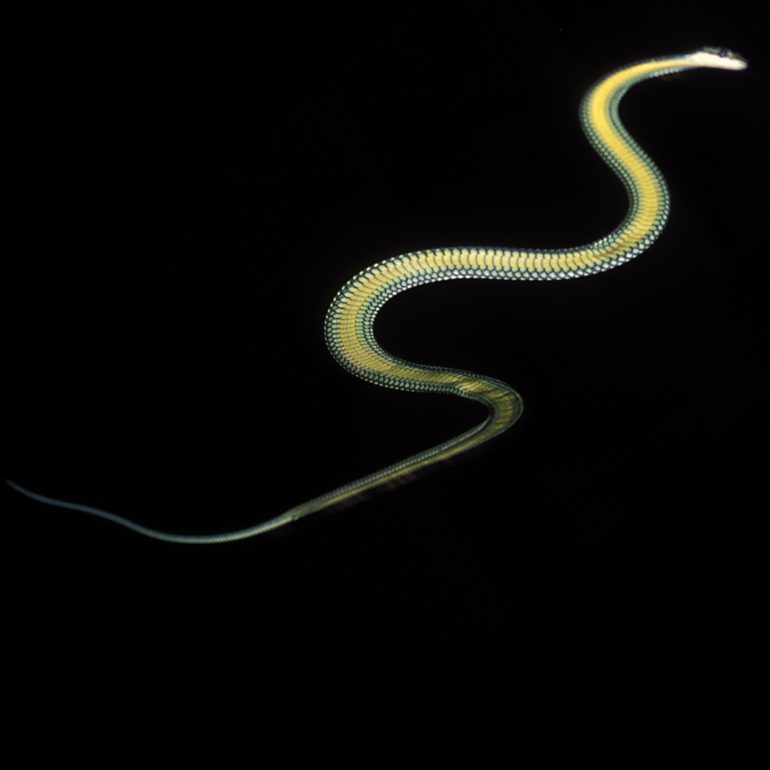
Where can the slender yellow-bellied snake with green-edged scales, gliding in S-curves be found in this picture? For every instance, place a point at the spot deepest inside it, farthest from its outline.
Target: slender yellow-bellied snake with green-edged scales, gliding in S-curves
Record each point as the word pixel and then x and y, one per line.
pixel 349 322
